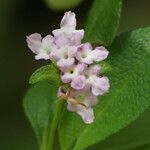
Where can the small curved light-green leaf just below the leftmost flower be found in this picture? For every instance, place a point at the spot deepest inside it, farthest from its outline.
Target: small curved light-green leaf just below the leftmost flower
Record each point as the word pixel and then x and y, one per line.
pixel 48 73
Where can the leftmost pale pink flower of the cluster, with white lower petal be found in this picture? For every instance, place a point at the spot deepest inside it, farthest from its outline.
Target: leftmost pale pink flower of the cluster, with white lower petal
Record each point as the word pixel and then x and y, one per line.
pixel 41 47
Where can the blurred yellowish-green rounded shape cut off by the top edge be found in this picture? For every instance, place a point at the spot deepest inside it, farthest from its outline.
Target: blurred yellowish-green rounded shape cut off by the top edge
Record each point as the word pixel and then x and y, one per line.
pixel 62 4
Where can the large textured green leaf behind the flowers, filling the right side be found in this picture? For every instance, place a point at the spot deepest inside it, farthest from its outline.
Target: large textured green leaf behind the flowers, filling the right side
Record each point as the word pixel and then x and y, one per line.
pixel 128 97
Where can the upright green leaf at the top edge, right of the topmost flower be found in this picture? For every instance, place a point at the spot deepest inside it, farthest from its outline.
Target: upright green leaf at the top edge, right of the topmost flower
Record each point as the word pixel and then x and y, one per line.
pixel 103 21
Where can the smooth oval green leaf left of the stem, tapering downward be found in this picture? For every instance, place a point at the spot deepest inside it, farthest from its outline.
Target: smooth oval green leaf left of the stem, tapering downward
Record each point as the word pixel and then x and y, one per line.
pixel 38 103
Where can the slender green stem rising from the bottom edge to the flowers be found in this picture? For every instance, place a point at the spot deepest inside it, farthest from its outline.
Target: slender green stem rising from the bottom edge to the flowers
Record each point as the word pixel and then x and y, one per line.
pixel 54 124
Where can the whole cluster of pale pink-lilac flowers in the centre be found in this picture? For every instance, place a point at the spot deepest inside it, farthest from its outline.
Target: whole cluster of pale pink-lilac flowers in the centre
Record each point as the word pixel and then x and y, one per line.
pixel 77 63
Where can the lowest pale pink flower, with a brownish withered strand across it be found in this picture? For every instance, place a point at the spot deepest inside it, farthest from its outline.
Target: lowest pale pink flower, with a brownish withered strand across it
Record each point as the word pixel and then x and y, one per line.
pixel 84 97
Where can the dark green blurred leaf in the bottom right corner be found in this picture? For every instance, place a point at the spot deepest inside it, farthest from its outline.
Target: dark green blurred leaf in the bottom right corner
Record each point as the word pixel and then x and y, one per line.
pixel 131 137
